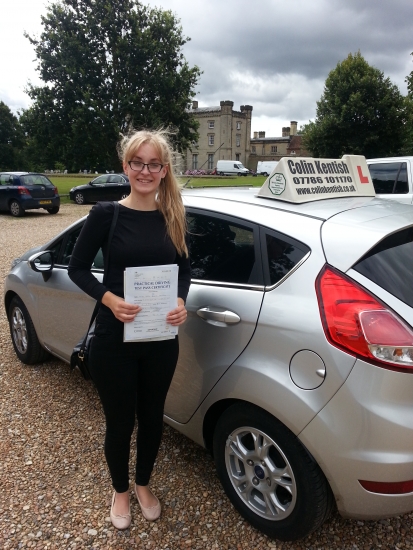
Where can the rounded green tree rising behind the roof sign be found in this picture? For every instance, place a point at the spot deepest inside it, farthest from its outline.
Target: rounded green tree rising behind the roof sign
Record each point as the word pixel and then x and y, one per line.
pixel 360 112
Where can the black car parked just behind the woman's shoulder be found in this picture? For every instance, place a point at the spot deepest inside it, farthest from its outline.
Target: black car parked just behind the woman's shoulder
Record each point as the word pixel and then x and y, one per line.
pixel 109 187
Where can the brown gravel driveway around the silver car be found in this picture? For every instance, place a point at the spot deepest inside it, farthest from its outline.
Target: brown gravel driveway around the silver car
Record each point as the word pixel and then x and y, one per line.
pixel 55 489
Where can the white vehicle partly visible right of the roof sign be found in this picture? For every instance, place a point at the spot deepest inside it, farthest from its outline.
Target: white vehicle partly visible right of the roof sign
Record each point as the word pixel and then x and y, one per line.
pixel 392 178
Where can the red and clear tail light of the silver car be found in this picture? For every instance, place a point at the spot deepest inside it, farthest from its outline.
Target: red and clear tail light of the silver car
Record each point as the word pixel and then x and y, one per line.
pixel 357 322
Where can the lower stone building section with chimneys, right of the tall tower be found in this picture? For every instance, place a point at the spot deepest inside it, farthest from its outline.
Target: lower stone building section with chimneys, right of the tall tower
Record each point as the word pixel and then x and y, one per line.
pixel 274 148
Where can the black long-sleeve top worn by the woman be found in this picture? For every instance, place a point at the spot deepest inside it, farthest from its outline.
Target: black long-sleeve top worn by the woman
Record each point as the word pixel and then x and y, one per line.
pixel 140 239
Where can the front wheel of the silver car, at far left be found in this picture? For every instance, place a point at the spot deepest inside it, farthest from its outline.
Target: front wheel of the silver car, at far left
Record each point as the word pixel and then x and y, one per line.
pixel 23 334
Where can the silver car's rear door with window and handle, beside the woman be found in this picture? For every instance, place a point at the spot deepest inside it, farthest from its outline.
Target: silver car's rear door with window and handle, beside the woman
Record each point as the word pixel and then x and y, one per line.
pixel 223 307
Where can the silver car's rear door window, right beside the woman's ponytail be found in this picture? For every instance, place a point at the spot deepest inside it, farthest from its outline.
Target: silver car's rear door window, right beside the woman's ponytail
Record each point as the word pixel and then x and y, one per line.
pixel 220 250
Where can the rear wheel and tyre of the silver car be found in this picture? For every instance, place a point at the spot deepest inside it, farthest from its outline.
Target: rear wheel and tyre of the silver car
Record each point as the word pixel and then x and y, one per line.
pixel 268 475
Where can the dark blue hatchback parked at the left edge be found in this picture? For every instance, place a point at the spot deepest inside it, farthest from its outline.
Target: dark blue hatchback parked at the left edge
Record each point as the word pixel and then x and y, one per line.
pixel 21 191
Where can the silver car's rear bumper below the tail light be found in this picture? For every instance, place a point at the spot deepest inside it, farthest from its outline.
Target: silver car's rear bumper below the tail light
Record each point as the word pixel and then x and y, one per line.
pixel 365 432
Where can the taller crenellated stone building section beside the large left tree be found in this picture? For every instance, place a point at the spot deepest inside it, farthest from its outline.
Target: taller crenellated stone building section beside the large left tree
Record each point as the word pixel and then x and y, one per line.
pixel 223 134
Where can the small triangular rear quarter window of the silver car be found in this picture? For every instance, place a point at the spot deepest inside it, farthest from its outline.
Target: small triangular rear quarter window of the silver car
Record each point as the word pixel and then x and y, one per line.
pixel 281 255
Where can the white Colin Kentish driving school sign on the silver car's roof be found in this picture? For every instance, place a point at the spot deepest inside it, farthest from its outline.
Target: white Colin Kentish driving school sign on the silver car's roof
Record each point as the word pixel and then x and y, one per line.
pixel 304 179
